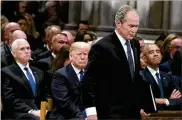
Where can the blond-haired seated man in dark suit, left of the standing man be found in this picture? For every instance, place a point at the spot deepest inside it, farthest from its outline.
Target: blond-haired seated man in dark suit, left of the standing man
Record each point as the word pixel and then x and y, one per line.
pixel 66 84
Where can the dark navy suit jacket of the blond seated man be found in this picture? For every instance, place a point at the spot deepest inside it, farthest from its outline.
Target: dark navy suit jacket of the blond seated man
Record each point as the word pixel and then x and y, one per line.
pixel 66 94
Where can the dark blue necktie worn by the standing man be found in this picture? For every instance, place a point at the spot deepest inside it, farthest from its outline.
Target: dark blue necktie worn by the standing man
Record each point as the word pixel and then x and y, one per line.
pixel 130 58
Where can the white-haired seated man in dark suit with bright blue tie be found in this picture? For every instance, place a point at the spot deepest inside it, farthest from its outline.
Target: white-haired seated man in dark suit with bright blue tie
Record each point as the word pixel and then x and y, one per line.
pixel 22 85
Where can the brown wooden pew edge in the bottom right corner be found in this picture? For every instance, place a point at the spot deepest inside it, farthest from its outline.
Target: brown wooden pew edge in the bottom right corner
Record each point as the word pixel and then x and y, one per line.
pixel 164 115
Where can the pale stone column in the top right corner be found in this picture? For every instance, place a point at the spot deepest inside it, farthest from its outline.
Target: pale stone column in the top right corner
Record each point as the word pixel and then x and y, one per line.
pixel 176 15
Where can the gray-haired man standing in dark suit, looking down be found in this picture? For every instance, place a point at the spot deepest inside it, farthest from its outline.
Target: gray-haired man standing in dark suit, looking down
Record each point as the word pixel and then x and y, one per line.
pixel 111 78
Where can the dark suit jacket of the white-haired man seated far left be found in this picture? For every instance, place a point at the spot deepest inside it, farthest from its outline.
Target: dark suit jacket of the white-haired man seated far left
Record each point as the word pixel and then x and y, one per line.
pixel 17 92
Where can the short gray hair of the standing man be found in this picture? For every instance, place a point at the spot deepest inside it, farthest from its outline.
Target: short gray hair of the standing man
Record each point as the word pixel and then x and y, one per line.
pixel 121 13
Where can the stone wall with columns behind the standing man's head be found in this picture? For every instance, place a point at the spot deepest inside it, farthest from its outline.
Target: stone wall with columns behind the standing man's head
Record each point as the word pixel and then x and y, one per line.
pixel 156 17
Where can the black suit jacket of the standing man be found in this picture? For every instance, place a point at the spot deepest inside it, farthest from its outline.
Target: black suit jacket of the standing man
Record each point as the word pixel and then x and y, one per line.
pixel 108 84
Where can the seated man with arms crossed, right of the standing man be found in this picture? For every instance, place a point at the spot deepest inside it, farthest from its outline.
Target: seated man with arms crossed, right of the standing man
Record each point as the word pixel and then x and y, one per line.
pixel 161 83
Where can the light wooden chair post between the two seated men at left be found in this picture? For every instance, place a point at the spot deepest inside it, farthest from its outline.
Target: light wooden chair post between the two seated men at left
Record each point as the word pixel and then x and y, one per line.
pixel 44 108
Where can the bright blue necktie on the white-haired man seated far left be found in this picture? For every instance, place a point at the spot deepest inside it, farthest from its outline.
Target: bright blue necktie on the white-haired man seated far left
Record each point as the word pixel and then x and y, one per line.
pixel 31 80
